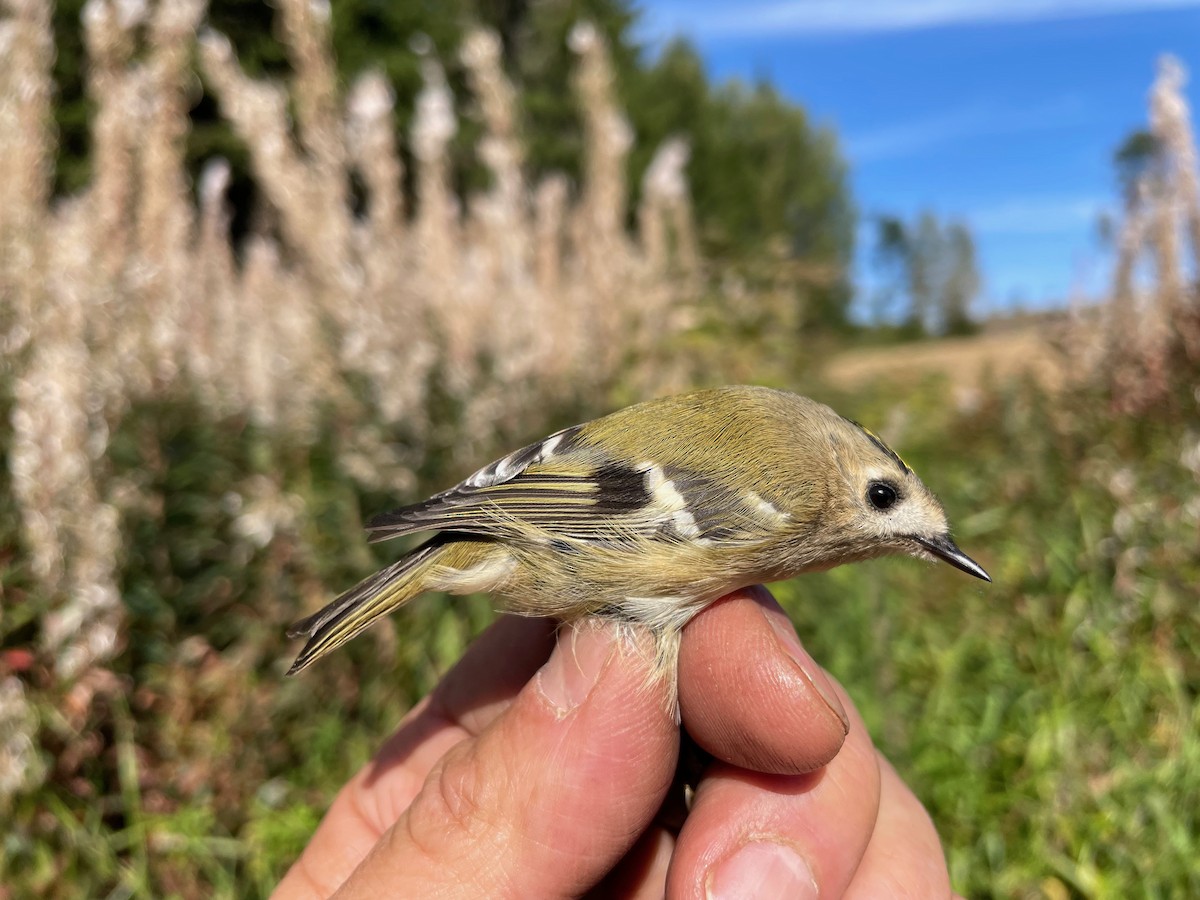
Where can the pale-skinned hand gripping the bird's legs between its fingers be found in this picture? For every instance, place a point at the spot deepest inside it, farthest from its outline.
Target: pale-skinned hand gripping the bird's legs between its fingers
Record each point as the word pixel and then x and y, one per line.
pixel 539 765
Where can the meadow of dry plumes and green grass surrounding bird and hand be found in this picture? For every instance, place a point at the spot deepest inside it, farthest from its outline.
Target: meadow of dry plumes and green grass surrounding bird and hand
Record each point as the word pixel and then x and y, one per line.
pixel 196 423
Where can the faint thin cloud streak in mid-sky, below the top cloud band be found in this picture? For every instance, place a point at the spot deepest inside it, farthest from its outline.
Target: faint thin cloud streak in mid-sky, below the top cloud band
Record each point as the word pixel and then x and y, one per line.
pixel 907 139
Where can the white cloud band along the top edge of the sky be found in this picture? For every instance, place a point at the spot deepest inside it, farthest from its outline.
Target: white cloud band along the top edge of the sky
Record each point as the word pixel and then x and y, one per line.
pixel 830 17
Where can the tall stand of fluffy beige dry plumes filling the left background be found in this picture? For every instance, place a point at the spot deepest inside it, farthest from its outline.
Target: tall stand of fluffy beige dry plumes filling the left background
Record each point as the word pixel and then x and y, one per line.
pixel 511 301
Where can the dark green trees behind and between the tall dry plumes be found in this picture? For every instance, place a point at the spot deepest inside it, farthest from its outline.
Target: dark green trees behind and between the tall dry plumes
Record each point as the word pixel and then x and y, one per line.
pixel 766 179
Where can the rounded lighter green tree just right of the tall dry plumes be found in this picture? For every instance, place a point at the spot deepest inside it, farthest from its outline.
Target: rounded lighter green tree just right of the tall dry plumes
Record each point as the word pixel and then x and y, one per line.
pixel 769 188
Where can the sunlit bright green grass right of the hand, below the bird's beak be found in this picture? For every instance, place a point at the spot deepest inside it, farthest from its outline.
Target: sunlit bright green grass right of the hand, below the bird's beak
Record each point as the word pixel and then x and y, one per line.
pixel 1049 721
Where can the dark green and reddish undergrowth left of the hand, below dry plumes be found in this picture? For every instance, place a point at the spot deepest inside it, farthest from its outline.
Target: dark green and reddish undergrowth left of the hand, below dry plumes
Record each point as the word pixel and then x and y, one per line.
pixel 191 767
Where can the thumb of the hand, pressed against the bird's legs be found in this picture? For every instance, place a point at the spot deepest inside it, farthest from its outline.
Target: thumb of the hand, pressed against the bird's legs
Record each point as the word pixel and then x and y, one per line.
pixel 551 796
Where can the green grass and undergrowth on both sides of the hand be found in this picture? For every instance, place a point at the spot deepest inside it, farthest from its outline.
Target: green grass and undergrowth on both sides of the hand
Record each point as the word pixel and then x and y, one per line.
pixel 1048 721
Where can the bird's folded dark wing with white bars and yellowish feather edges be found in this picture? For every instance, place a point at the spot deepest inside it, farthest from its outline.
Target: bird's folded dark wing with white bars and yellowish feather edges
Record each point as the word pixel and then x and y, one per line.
pixel 565 489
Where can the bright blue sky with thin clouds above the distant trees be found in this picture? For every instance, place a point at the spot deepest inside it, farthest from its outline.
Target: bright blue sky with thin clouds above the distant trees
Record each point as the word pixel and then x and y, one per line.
pixel 1003 113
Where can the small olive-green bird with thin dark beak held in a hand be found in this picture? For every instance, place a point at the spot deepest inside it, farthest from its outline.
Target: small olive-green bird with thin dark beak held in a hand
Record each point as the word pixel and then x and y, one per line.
pixel 652 513
